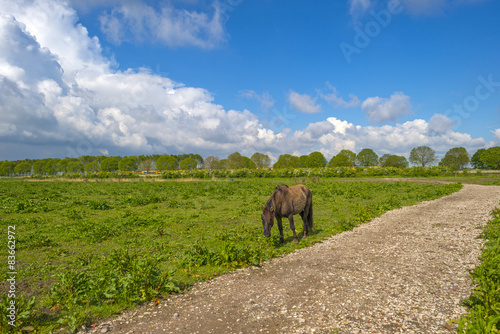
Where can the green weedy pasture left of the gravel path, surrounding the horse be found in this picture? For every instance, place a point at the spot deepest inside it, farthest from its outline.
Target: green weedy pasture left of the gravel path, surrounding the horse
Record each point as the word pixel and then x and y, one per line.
pixel 87 250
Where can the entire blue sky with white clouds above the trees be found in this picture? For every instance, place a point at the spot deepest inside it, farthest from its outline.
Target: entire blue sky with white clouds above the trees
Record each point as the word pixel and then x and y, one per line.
pixel 127 77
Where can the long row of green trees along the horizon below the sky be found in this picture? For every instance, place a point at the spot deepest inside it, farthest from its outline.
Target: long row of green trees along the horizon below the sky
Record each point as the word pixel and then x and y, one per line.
pixel 456 158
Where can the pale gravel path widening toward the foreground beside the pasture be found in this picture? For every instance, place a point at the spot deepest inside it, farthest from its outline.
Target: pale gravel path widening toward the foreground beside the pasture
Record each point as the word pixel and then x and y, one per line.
pixel 404 272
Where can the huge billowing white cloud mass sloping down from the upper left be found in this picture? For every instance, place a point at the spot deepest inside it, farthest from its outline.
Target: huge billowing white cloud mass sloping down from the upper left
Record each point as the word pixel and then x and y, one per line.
pixel 97 109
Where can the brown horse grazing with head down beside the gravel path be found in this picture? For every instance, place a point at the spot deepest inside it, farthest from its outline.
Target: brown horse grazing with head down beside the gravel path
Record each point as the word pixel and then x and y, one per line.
pixel 285 202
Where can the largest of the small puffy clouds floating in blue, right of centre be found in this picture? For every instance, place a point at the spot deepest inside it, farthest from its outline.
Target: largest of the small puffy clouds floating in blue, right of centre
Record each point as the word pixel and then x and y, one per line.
pixel 380 110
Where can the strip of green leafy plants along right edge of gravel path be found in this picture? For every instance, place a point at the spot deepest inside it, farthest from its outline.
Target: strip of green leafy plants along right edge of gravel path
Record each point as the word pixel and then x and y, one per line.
pixel 484 302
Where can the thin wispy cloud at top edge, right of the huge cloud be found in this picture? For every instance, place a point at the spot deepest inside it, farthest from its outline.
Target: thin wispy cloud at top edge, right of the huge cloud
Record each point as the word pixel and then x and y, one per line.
pixel 137 21
